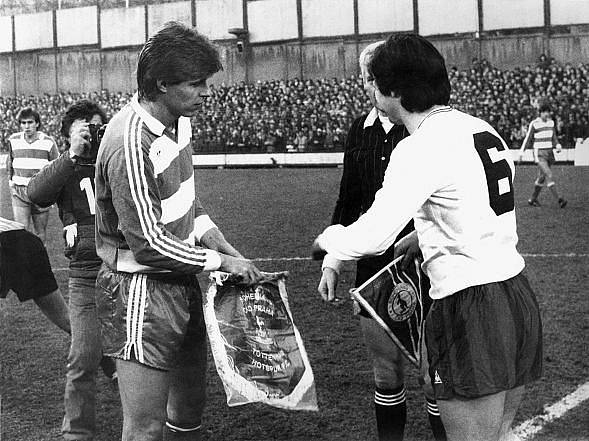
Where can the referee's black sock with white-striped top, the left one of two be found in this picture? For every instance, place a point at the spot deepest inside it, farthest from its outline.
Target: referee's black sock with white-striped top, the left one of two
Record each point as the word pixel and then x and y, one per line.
pixel 391 413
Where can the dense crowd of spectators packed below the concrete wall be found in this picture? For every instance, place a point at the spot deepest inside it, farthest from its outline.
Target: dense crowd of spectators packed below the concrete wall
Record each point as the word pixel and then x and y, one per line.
pixel 315 114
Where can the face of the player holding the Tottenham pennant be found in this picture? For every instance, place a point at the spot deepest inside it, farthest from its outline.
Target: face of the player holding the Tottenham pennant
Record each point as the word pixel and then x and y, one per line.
pixel 186 98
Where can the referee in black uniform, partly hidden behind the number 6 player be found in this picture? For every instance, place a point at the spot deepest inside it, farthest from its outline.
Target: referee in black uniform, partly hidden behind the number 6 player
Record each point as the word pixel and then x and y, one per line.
pixel 370 141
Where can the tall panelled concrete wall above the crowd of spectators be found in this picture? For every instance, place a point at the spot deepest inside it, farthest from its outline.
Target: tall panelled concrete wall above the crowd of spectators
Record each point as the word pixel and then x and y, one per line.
pixel 91 47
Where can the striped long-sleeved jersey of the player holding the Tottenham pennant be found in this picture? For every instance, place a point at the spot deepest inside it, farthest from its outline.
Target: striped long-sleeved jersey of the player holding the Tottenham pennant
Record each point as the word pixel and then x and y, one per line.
pixel 148 215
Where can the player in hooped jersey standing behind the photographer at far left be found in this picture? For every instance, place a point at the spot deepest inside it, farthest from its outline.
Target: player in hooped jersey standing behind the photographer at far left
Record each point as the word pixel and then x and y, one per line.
pixel 28 151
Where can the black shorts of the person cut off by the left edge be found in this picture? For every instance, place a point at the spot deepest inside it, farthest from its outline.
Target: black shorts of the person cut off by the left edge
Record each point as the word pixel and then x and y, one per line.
pixel 24 266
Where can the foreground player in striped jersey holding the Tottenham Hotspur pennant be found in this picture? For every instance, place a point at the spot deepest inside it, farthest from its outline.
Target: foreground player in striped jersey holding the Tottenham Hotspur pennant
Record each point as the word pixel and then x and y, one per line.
pixel 154 236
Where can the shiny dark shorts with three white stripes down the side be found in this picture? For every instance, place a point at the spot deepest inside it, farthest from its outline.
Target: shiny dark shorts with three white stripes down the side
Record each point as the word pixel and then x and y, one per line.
pixel 156 320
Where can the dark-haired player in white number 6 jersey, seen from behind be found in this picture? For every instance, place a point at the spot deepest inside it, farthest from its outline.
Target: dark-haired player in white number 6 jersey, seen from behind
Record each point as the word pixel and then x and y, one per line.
pixel 454 176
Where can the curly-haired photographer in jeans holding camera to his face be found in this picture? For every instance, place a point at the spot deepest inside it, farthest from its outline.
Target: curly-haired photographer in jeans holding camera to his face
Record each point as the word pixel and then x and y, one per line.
pixel 69 181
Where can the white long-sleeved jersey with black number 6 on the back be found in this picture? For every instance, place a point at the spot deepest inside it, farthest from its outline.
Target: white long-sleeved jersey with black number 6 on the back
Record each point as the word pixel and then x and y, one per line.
pixel 454 176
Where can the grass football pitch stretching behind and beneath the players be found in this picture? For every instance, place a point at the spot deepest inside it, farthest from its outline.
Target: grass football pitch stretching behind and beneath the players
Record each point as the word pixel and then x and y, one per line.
pixel 276 213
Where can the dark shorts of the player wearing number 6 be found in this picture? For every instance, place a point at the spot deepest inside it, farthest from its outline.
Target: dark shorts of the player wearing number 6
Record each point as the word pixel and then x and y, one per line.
pixel 484 339
